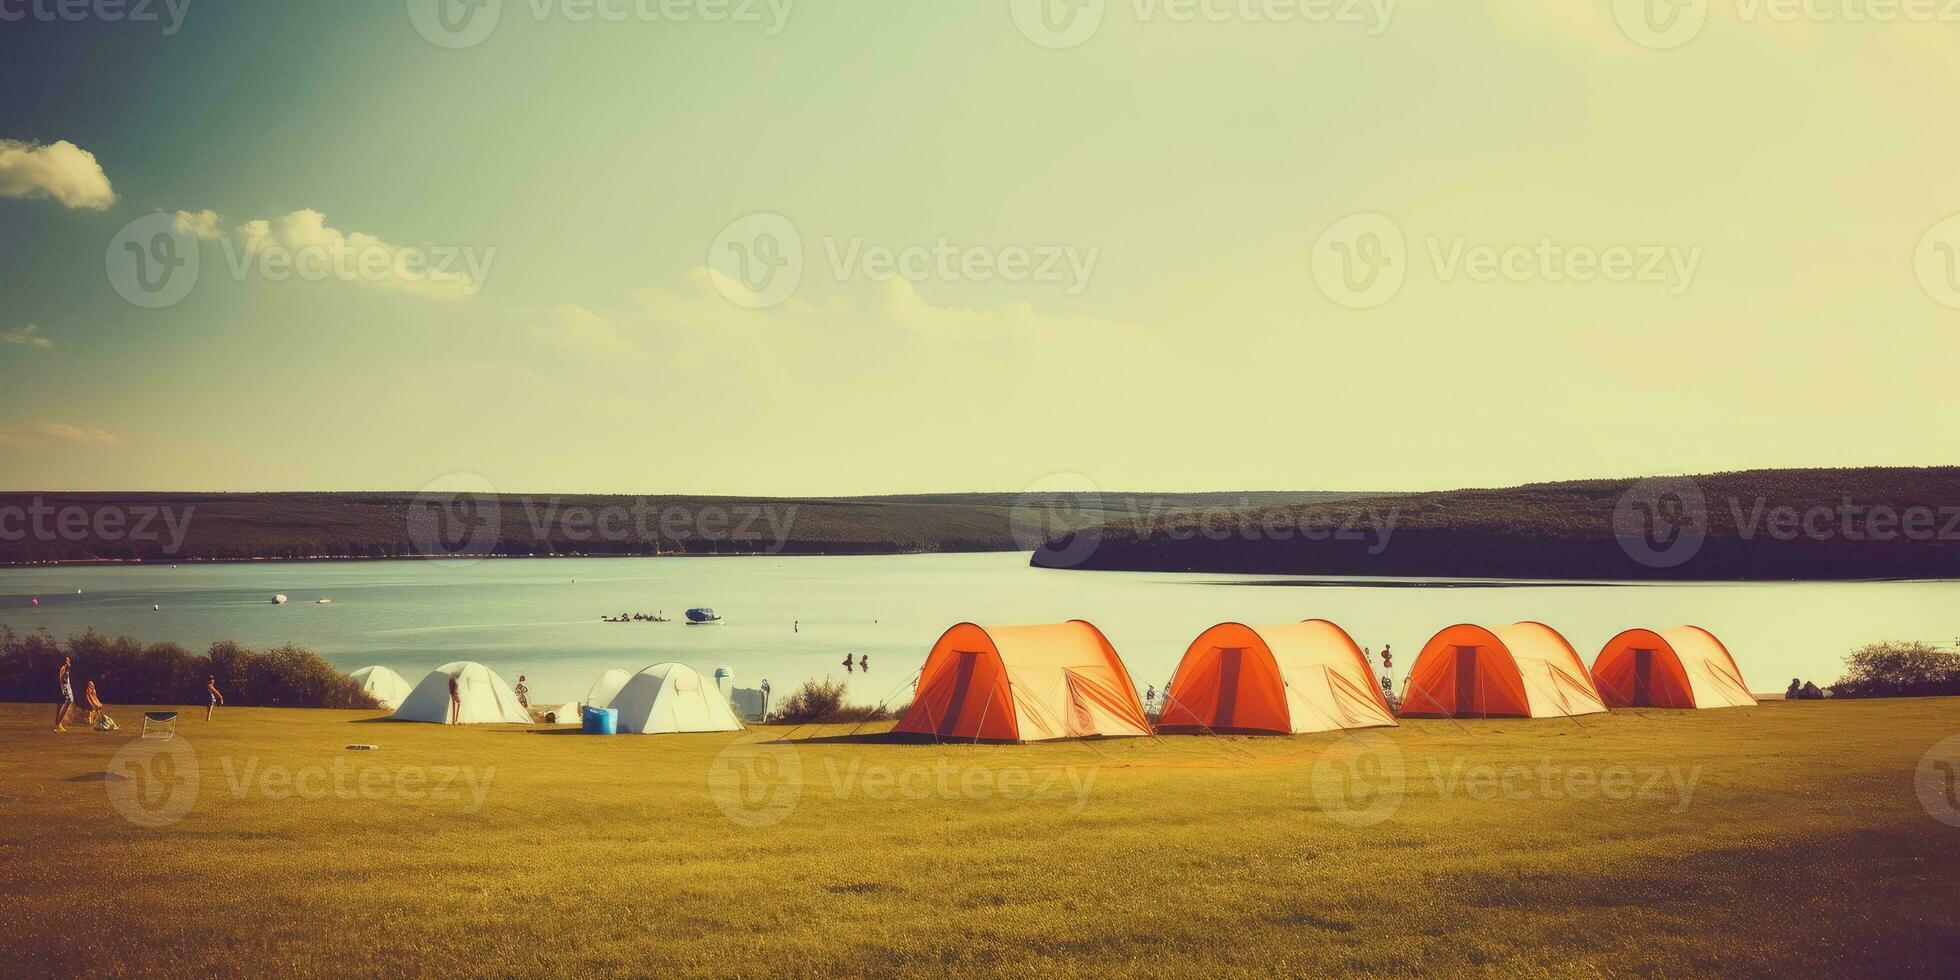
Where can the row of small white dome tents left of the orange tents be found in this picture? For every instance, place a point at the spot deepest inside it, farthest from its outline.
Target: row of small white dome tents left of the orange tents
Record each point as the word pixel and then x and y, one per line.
pixel 661 699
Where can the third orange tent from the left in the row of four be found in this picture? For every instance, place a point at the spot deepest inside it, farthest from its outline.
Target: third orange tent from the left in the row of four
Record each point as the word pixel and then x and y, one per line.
pixel 1508 671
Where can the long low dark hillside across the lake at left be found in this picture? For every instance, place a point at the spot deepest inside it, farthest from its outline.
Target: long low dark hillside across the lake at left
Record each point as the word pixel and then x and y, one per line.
pixel 132 526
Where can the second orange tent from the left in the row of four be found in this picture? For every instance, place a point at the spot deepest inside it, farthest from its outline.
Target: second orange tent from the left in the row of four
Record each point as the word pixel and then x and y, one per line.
pixel 1289 679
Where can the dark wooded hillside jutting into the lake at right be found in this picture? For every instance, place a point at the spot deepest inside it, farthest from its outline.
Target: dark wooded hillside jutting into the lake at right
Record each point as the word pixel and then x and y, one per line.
pixel 1732 526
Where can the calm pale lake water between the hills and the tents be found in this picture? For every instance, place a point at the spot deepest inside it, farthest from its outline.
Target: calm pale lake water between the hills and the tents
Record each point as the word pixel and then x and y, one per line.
pixel 542 618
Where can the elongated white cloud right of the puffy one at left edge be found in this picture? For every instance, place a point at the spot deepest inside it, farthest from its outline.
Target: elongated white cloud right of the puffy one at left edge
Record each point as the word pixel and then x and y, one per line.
pixel 303 246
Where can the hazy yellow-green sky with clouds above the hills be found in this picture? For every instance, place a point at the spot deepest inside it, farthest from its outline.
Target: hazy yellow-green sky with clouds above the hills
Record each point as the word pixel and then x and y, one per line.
pixel 822 248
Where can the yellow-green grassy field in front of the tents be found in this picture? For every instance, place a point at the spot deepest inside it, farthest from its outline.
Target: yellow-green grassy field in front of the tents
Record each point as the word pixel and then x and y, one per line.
pixel 1785 840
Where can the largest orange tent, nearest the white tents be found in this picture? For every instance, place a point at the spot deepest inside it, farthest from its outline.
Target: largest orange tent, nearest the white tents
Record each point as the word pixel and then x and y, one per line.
pixel 1024 683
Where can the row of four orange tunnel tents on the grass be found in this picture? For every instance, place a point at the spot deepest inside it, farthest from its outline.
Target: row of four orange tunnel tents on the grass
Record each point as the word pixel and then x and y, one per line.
pixel 1040 683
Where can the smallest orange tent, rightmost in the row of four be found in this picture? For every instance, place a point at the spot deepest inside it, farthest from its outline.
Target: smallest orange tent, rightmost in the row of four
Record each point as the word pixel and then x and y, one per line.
pixel 1683 667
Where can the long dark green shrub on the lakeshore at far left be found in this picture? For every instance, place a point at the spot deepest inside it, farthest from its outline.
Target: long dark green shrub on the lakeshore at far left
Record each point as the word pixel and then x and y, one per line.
pixel 164 673
